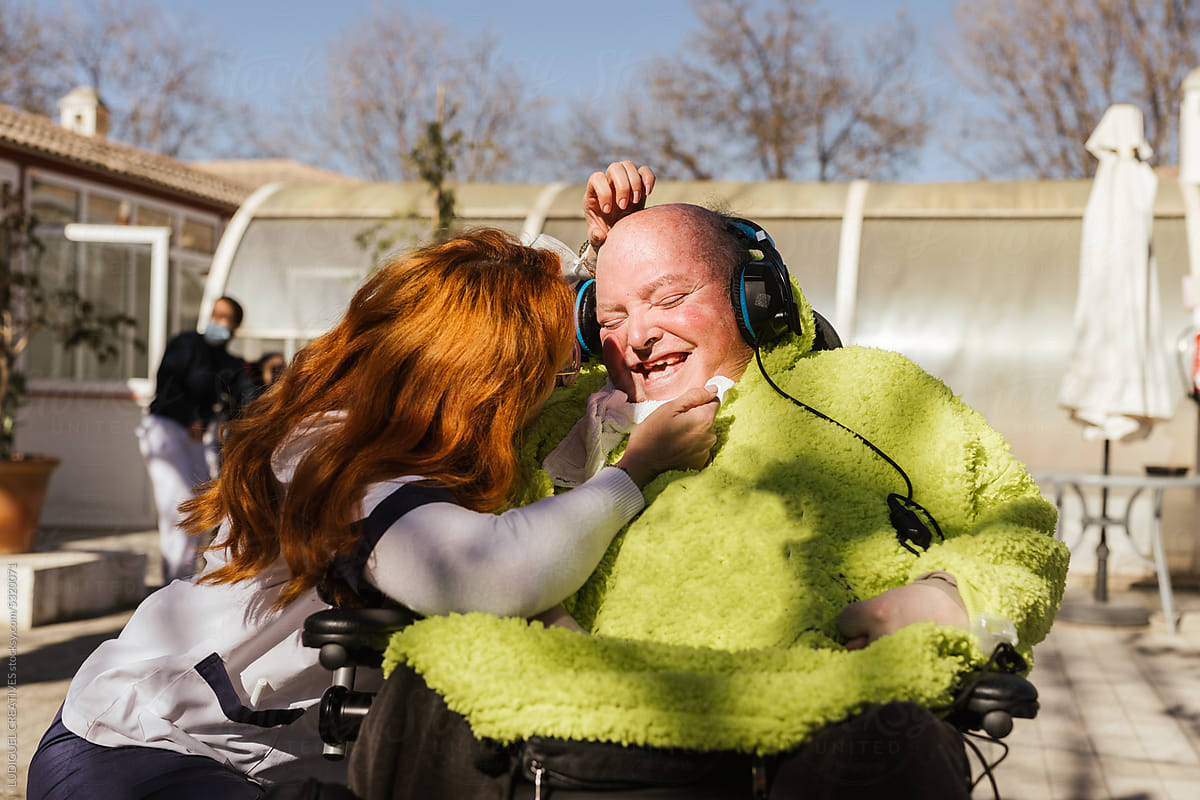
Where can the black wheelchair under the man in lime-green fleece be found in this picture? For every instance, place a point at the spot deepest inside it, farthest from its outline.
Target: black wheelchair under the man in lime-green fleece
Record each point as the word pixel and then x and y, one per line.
pixel 353 640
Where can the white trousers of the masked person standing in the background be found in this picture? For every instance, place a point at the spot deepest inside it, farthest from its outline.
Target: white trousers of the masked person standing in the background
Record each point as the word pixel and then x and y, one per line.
pixel 178 467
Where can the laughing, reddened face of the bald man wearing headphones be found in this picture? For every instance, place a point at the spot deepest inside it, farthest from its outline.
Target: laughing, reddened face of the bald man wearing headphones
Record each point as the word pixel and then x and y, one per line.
pixel 663 300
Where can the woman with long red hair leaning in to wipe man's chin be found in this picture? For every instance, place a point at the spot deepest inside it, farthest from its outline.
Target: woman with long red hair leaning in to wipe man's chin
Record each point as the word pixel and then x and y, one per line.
pixel 374 467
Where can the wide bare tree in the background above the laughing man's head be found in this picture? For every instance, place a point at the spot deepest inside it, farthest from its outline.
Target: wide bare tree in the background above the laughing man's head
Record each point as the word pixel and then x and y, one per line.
pixel 777 93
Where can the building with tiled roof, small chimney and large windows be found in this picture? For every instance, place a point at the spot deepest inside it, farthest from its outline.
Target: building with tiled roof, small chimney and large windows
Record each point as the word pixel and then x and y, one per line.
pixel 86 411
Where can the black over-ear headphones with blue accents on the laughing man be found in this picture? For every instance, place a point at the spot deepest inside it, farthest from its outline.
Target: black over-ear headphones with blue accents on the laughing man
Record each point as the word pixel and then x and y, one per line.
pixel 760 292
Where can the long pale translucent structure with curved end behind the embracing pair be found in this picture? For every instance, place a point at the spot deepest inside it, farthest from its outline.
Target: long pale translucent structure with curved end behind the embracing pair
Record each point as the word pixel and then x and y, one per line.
pixel 976 282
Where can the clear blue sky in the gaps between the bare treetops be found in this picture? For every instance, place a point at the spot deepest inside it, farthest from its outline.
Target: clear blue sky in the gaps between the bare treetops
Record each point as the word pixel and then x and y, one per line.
pixel 566 49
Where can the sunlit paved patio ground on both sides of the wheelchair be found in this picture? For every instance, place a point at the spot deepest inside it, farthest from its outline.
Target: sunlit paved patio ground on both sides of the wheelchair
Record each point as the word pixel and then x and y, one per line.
pixel 1120 707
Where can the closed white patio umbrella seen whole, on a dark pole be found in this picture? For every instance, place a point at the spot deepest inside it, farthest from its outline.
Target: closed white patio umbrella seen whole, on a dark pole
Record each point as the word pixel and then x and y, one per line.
pixel 1118 382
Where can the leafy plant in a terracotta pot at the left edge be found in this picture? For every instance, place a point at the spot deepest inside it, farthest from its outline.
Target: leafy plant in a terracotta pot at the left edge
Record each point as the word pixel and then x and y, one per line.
pixel 27 306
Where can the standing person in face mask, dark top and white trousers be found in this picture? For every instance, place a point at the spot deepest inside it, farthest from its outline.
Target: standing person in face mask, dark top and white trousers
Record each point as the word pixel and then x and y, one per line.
pixel 199 382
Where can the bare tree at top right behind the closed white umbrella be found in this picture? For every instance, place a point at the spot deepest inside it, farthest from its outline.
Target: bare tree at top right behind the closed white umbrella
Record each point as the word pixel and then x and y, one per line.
pixel 1045 71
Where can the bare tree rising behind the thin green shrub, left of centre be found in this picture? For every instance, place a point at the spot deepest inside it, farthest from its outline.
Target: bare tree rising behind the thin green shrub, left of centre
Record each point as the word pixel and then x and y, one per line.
pixel 383 82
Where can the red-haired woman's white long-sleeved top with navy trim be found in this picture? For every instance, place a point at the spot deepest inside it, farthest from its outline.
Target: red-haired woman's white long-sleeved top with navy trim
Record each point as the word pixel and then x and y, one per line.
pixel 195 653
